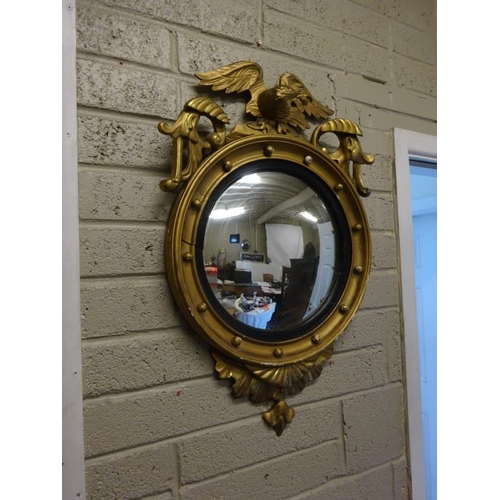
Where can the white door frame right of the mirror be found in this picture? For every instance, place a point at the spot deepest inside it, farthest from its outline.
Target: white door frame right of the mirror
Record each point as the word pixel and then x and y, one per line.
pixel 410 144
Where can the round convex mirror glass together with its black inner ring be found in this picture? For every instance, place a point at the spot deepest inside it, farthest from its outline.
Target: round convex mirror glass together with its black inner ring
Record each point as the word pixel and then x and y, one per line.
pixel 299 260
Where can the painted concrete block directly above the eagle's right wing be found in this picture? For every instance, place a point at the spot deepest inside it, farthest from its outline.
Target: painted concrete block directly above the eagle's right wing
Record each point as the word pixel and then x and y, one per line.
pixel 284 34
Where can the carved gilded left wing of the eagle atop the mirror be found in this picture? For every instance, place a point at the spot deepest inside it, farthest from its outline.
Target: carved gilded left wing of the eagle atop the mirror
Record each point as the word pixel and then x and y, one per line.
pixel 237 77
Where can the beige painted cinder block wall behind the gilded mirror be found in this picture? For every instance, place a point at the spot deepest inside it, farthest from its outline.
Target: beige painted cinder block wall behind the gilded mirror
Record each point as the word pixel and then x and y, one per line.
pixel 157 423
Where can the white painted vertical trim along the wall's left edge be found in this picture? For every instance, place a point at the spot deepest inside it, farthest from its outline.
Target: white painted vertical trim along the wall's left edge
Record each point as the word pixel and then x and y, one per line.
pixel 73 469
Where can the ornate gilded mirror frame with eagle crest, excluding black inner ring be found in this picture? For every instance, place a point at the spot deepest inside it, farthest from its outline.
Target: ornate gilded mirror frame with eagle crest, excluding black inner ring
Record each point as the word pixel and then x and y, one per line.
pixel 261 370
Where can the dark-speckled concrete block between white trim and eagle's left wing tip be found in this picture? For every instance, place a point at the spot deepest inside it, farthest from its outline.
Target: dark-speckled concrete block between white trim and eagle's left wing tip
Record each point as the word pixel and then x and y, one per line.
pixel 121 87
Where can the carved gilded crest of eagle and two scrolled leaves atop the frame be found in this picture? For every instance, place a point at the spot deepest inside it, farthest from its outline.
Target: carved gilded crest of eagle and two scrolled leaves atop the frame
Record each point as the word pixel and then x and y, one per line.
pixel 278 110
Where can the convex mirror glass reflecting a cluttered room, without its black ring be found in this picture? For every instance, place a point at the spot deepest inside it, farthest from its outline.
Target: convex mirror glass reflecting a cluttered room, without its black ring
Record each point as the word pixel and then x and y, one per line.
pixel 290 269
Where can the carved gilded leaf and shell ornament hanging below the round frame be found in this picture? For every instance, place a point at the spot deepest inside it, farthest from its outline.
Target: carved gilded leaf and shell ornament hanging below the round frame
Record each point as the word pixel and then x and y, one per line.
pixel 276 383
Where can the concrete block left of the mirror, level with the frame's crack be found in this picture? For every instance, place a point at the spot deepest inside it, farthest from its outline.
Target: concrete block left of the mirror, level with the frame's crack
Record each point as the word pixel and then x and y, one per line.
pixel 108 249
